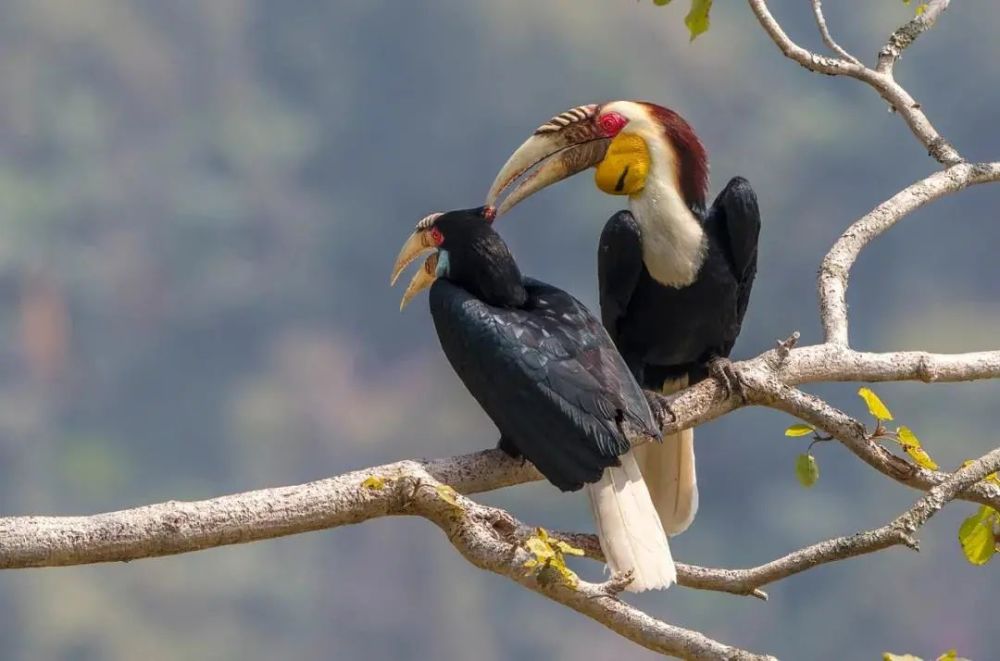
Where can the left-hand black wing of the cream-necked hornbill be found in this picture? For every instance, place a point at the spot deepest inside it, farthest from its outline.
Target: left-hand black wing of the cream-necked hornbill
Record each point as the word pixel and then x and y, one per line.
pixel 619 264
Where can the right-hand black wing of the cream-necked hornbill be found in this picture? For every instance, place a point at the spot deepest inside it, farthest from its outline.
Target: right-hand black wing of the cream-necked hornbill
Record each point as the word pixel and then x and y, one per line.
pixel 734 216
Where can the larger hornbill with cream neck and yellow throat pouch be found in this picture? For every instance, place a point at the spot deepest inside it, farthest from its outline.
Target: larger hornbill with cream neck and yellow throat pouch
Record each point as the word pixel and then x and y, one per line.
pixel 674 277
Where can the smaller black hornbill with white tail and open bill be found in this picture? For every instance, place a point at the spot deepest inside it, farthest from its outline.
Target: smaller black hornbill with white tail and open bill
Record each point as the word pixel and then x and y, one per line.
pixel 546 372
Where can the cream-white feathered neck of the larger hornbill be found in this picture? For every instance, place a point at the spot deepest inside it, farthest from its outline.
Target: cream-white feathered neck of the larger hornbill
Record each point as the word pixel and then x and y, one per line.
pixel 674 243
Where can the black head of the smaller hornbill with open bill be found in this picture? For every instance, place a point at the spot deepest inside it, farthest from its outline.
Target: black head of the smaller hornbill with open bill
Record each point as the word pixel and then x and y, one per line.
pixel 465 249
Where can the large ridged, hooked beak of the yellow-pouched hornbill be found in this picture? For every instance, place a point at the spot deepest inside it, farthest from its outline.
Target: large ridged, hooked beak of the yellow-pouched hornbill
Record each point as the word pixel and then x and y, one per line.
pixel 568 143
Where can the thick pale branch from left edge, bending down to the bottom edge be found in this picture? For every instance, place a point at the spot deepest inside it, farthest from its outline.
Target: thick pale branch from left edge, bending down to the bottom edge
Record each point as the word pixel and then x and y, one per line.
pixel 487 537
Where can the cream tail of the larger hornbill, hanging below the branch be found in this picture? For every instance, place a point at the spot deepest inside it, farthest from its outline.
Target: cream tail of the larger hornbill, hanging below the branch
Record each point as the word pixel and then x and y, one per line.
pixel 669 471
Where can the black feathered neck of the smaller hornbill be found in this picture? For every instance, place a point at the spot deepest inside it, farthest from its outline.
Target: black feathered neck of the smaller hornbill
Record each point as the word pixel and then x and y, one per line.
pixel 488 271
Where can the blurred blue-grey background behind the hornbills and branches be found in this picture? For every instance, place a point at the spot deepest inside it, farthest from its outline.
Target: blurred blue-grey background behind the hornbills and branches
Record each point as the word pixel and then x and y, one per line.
pixel 199 207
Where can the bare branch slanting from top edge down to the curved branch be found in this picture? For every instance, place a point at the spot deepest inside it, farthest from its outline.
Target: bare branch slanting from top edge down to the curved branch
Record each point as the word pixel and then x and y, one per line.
pixel 883 83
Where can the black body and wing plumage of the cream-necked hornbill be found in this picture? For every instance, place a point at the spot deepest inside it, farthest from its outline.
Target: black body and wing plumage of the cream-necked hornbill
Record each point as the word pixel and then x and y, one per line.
pixel 666 332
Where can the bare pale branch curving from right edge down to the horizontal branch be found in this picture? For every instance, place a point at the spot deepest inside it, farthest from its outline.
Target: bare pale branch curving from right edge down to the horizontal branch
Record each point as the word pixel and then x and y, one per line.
pixel 835 269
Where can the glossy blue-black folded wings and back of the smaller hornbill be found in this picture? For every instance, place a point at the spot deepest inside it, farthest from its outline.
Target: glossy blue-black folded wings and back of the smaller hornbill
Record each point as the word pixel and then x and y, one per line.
pixel 547 375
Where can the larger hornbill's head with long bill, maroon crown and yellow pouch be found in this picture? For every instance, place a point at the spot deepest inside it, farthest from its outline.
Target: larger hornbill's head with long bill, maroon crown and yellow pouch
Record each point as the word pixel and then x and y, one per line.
pixel 628 142
